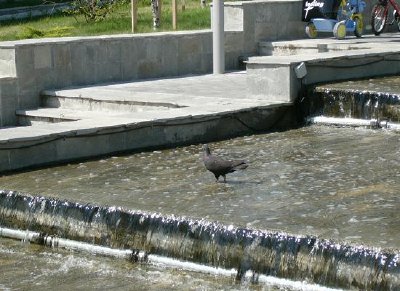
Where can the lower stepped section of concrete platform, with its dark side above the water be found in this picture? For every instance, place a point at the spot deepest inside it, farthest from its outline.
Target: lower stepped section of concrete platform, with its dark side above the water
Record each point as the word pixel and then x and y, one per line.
pixel 112 118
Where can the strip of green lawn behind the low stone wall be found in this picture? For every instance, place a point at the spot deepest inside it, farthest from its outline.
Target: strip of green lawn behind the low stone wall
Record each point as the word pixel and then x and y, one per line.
pixel 193 17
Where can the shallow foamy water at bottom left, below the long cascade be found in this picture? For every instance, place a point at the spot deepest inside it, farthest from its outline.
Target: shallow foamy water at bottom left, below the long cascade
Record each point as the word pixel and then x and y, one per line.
pixel 26 267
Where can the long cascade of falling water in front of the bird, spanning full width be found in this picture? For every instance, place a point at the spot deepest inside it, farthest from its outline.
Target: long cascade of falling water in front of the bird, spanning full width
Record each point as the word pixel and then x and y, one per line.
pixel 296 257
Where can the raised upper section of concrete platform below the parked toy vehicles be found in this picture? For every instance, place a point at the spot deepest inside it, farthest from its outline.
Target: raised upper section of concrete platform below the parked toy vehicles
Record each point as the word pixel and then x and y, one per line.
pixel 325 60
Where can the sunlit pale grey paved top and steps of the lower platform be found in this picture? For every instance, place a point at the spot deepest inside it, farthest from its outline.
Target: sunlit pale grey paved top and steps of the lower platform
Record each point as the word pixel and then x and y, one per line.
pixel 158 99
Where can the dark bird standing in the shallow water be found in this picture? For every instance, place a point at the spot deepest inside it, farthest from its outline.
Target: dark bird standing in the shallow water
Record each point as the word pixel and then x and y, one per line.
pixel 221 167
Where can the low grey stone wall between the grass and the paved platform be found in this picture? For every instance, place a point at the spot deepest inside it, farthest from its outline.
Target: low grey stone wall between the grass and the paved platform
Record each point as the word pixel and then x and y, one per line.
pixel 43 64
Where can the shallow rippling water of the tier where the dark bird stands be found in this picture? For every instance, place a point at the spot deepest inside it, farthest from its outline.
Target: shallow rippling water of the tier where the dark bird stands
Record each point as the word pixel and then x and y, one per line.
pixel 337 183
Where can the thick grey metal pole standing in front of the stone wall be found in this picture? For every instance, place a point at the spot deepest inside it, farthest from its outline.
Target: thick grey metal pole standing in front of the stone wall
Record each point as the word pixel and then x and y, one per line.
pixel 218 37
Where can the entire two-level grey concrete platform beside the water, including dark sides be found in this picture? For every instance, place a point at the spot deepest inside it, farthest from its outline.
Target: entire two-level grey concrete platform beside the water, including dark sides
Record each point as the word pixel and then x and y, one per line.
pixel 89 121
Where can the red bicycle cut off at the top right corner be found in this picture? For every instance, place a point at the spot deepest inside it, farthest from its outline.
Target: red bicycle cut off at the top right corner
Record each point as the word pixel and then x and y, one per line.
pixel 379 15
